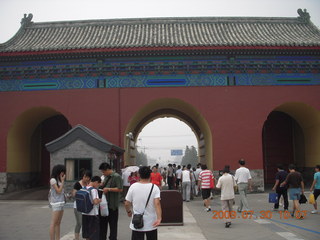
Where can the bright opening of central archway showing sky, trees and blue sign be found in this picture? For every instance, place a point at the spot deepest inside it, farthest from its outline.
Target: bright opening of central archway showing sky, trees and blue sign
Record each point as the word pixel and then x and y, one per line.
pixel 166 140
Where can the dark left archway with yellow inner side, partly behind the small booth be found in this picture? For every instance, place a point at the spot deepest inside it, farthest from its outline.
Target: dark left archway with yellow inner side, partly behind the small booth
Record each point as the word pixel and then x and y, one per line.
pixel 28 162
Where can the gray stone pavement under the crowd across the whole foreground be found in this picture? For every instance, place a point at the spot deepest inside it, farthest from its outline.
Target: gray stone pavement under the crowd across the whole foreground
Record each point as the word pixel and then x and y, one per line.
pixel 30 220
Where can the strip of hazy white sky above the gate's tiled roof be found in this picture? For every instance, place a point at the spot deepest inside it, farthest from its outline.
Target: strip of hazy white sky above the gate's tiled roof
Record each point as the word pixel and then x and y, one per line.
pixel 11 11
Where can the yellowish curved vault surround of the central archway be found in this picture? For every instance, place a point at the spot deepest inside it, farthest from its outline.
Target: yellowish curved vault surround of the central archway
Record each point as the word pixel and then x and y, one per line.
pixel 170 107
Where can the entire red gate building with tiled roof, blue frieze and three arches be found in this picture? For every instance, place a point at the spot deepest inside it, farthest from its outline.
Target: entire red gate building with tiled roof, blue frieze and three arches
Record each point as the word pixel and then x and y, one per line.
pixel 248 88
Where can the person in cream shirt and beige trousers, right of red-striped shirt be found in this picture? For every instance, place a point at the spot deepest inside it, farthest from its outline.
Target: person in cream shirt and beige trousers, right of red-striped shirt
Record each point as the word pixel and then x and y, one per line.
pixel 227 183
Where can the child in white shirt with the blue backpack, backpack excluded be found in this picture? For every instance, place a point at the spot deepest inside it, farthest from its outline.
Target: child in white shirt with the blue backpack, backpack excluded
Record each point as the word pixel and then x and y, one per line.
pixel 90 221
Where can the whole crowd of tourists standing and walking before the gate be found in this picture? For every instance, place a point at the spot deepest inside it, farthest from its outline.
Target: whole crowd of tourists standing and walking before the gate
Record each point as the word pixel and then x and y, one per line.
pixel 139 188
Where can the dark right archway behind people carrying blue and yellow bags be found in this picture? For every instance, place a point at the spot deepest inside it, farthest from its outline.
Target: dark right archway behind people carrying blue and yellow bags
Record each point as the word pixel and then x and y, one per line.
pixel 291 134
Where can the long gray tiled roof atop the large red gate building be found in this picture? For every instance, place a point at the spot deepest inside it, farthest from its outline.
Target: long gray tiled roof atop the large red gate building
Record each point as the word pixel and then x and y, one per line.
pixel 164 33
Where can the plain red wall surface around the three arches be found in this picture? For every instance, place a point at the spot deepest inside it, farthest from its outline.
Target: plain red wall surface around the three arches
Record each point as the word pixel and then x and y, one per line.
pixel 235 114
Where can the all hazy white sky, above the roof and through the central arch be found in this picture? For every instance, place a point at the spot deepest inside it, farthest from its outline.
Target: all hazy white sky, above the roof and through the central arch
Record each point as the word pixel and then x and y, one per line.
pixel 163 134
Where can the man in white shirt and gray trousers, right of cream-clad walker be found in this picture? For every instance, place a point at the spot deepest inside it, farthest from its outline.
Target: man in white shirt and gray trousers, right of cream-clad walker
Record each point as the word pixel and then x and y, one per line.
pixel 243 178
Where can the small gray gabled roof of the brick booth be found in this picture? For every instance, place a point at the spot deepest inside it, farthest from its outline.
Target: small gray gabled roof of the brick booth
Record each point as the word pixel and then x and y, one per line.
pixel 85 134
